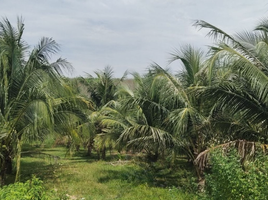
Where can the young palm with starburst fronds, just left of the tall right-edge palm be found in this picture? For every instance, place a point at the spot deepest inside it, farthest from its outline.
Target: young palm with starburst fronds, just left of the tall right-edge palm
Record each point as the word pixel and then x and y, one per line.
pixel 187 120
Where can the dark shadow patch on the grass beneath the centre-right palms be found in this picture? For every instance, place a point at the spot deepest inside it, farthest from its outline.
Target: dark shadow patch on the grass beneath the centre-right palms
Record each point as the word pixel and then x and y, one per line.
pixel 153 175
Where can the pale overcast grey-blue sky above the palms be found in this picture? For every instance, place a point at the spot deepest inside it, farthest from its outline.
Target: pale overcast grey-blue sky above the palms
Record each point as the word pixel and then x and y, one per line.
pixel 128 34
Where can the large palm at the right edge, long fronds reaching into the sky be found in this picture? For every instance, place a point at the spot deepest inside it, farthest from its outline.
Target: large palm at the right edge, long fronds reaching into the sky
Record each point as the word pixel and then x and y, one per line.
pixel 240 98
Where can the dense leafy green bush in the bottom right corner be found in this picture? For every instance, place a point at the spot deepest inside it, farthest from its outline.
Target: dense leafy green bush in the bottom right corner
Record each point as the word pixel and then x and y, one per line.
pixel 229 179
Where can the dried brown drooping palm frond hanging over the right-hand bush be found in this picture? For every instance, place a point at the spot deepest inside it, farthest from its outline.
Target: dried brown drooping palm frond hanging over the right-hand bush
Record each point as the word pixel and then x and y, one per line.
pixel 244 148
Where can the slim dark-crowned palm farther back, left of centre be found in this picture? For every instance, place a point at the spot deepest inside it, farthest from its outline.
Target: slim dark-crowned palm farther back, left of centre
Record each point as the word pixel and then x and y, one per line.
pixel 101 91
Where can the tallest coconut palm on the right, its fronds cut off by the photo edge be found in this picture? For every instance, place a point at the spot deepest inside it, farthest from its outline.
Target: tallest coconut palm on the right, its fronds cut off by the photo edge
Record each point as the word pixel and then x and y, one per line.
pixel 244 94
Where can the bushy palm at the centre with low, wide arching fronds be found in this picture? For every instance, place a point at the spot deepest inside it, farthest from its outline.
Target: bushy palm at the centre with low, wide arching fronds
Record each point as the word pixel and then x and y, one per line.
pixel 148 111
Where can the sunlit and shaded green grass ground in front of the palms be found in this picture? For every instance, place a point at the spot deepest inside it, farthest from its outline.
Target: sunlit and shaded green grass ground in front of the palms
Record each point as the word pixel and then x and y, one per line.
pixel 81 177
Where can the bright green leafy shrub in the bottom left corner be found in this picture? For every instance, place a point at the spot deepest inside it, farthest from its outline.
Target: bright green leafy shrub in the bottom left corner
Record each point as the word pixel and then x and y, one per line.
pixel 32 189
